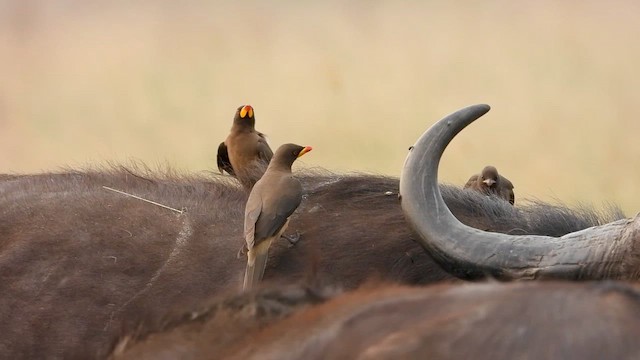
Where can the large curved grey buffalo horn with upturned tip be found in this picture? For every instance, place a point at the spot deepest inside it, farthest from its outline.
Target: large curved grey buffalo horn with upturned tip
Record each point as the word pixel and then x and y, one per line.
pixel 606 251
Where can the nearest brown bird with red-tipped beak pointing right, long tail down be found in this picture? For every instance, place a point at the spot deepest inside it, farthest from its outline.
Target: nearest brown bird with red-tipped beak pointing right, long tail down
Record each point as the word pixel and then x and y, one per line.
pixel 271 201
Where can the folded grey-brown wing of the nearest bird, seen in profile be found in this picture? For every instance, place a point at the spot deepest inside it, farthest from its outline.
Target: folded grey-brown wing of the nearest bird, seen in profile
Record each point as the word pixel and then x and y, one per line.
pixel 275 213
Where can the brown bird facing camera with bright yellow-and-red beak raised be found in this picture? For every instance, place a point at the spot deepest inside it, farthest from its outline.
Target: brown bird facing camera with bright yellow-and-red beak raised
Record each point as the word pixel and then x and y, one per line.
pixel 245 153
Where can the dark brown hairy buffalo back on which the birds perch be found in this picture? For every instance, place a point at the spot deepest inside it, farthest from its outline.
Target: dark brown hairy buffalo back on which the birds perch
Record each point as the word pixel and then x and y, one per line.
pixel 81 265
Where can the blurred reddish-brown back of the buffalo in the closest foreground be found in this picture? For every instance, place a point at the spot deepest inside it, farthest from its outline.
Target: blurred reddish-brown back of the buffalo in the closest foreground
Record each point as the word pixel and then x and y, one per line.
pixel 549 320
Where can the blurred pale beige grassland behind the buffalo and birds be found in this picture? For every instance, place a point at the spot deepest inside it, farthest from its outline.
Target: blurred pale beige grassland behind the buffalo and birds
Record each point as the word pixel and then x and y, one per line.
pixel 83 82
